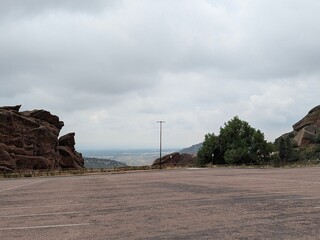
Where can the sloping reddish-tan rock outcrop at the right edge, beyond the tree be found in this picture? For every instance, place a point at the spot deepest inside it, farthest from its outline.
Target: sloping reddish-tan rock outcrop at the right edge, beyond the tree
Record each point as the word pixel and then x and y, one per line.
pixel 307 129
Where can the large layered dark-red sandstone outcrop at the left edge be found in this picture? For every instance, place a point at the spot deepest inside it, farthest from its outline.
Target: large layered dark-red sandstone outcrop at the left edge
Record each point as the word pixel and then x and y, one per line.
pixel 29 140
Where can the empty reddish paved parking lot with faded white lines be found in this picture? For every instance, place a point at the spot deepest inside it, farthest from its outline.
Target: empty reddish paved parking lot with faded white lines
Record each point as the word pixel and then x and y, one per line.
pixel 169 204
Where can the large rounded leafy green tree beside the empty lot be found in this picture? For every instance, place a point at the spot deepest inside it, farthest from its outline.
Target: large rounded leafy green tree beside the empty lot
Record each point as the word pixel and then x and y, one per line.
pixel 237 143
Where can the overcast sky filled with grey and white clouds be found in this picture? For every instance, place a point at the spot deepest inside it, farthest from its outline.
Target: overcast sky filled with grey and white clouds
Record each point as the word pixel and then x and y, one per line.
pixel 111 69
